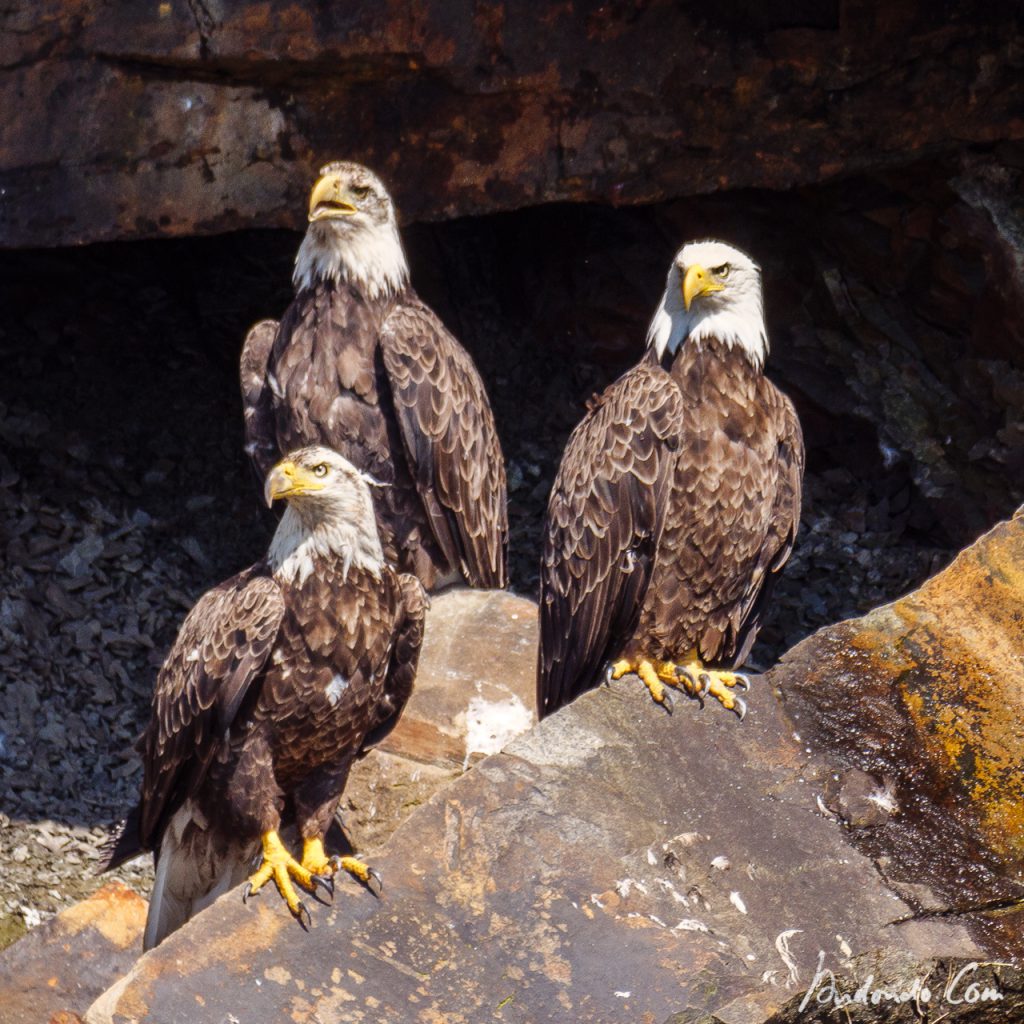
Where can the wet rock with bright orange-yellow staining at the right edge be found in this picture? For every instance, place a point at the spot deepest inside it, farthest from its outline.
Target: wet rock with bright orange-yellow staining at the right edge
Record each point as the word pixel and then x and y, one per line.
pixel 924 696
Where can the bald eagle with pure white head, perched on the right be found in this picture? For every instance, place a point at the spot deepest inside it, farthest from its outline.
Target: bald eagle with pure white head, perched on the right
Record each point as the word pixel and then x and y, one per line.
pixel 677 501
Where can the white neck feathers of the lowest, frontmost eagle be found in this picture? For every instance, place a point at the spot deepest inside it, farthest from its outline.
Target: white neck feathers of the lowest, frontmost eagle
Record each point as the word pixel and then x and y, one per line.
pixel 300 547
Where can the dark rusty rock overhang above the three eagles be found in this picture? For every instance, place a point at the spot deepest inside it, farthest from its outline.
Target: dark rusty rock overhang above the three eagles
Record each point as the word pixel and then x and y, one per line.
pixel 189 118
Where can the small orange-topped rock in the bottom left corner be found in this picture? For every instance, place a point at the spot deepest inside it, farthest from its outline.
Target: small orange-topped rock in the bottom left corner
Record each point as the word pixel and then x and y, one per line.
pixel 58 969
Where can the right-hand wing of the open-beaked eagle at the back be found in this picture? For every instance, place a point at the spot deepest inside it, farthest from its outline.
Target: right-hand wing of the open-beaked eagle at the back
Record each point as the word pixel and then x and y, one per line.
pixel 450 440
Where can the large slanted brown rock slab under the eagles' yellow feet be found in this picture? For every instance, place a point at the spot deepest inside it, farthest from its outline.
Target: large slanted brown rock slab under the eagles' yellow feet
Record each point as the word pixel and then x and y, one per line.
pixel 613 865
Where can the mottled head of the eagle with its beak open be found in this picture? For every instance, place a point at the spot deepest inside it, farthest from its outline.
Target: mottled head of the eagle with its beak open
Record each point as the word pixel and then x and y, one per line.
pixel 353 234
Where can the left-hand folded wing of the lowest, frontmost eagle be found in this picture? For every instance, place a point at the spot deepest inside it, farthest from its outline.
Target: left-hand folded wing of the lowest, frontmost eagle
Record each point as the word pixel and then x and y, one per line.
pixel 221 650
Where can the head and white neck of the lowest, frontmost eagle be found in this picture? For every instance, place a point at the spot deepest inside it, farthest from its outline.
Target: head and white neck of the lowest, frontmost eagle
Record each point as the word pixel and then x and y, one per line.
pixel 330 515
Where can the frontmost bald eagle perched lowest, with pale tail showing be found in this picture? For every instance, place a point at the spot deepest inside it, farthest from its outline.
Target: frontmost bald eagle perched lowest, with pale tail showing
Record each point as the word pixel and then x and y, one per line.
pixel 279 679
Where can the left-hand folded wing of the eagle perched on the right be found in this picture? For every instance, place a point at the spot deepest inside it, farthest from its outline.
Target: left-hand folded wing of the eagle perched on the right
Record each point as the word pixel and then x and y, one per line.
pixel 602 531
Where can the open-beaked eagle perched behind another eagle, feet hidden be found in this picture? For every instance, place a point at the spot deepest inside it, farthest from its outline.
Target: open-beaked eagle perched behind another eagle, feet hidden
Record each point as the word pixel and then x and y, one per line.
pixel 361 365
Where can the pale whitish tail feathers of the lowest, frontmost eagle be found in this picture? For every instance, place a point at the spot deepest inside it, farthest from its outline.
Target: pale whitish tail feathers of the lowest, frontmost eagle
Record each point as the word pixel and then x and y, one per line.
pixel 194 868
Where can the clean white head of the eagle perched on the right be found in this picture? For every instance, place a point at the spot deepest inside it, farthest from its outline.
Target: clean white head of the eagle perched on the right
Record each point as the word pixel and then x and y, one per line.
pixel 713 291
